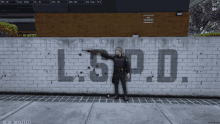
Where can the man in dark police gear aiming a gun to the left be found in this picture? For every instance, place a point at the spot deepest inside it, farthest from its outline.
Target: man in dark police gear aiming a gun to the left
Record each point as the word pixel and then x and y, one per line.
pixel 121 66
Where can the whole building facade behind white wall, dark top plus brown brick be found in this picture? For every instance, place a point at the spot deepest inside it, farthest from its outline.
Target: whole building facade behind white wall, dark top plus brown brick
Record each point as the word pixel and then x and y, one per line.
pixel 98 15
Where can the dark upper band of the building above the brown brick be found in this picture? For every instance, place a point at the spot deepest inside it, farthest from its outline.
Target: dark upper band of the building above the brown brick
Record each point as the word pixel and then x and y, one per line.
pixel 95 6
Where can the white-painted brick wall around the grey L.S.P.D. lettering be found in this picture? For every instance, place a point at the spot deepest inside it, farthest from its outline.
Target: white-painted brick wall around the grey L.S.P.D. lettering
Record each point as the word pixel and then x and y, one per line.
pixel 31 65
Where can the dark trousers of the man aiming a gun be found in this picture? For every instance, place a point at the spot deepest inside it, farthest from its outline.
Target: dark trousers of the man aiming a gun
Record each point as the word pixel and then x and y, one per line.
pixel 116 78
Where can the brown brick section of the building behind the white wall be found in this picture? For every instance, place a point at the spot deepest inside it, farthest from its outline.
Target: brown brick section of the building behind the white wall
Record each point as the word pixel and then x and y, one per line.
pixel 110 24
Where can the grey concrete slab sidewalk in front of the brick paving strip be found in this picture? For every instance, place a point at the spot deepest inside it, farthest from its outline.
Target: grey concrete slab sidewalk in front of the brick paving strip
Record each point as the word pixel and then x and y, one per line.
pixel 107 113
